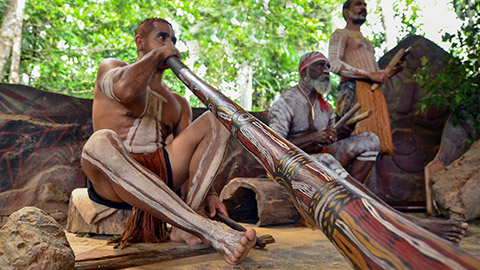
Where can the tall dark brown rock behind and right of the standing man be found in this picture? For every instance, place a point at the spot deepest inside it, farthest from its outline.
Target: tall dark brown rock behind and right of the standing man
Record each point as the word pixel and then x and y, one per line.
pixel 399 178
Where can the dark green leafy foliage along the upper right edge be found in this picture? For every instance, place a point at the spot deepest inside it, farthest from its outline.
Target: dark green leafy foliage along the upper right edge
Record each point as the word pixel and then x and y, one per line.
pixel 457 88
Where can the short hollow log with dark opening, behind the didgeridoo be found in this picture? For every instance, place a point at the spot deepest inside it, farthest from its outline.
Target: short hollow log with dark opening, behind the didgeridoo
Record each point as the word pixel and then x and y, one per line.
pixel 260 201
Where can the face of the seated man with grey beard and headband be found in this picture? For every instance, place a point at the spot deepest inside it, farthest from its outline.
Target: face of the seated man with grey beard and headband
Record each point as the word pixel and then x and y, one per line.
pixel 318 76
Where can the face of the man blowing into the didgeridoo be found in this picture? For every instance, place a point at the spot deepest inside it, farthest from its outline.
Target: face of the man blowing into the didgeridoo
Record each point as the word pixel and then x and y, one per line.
pixel 161 35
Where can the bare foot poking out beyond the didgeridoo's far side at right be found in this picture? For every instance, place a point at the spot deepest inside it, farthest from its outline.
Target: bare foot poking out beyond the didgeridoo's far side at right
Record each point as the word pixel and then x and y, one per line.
pixel 450 230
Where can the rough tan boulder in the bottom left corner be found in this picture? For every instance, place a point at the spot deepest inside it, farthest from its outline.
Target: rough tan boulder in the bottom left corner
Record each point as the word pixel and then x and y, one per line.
pixel 31 239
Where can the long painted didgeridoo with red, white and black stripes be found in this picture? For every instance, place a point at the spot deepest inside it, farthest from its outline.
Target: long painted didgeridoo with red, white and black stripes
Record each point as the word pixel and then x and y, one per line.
pixel 368 234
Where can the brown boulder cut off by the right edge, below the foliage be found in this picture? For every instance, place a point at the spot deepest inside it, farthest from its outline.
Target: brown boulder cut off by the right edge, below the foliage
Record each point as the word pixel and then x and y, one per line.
pixel 456 188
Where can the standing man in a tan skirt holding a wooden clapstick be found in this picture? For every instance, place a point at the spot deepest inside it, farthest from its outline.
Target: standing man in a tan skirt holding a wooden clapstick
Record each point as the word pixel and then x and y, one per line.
pixel 352 57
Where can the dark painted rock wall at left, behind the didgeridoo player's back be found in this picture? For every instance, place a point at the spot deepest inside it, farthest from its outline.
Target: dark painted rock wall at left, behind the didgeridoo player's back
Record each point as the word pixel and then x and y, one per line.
pixel 42 135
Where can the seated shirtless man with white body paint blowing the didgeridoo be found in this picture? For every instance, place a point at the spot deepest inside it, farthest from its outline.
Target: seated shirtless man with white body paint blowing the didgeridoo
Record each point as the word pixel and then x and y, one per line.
pixel 129 163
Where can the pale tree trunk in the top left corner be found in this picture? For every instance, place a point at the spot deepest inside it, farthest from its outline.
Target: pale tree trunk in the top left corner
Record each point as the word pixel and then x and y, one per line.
pixel 10 32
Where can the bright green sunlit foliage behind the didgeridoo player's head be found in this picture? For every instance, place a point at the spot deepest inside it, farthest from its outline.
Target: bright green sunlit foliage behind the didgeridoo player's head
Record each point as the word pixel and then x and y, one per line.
pixel 64 41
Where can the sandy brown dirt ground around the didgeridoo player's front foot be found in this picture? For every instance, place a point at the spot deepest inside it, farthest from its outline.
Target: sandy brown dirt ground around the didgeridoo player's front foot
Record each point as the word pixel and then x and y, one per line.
pixel 295 247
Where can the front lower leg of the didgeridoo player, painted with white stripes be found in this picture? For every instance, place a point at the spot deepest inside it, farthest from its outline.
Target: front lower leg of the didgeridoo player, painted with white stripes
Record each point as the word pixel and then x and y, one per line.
pixel 106 152
